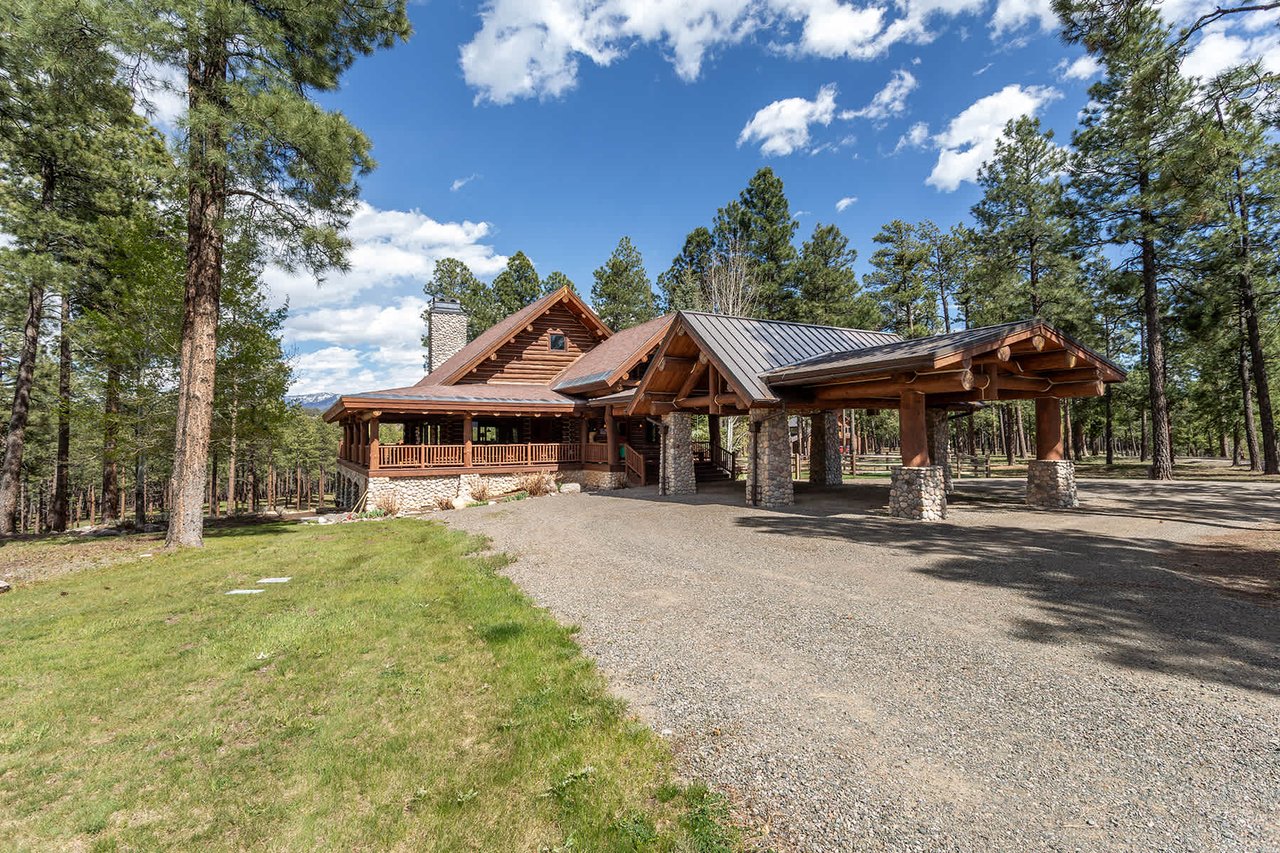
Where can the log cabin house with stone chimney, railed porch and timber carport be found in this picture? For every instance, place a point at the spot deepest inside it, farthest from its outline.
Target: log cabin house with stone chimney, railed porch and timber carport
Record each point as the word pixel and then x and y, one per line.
pixel 551 389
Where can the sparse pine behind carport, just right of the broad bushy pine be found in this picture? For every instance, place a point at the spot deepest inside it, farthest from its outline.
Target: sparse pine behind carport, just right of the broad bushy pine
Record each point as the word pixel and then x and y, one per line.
pixel 899 282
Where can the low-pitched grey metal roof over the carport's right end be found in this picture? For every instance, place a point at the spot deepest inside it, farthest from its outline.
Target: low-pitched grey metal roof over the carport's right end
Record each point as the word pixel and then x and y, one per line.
pixel 903 354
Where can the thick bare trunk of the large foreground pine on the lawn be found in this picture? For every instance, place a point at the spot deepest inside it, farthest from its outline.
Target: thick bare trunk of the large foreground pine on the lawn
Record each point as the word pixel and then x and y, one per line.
pixel 207 203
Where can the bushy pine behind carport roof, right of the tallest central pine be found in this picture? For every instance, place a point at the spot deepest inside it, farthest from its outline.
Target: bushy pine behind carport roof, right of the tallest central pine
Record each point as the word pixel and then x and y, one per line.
pixel 828 290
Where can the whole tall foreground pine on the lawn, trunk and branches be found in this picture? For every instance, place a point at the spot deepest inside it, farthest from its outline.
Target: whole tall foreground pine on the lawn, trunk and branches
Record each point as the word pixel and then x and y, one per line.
pixel 254 144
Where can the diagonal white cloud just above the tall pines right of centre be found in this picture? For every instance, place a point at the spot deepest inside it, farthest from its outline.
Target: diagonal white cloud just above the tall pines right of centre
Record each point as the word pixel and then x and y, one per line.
pixel 970 139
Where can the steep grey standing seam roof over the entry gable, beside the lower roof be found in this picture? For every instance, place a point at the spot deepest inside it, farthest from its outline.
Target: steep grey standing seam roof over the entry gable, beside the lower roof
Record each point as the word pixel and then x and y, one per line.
pixel 751 348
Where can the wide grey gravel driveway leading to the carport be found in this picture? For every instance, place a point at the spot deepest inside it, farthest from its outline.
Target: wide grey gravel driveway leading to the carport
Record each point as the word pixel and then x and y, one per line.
pixel 1007 679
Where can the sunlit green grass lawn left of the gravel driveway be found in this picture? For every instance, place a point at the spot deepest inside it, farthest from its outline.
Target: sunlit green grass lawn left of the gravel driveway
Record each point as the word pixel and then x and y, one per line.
pixel 396 695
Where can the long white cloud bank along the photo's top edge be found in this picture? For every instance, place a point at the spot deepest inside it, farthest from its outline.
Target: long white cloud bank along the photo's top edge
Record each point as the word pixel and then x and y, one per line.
pixel 533 48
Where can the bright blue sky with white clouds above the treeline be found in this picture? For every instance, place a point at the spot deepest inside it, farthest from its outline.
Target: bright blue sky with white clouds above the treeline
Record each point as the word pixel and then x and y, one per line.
pixel 559 126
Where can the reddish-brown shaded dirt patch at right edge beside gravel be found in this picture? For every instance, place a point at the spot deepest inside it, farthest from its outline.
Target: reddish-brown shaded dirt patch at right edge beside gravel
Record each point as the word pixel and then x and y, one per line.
pixel 1246 564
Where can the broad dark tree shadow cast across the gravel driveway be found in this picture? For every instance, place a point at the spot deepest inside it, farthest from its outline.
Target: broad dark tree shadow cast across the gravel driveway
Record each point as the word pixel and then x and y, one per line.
pixel 1117 595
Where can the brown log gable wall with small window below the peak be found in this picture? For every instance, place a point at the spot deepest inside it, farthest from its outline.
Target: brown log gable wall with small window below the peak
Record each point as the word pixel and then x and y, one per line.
pixel 528 358
